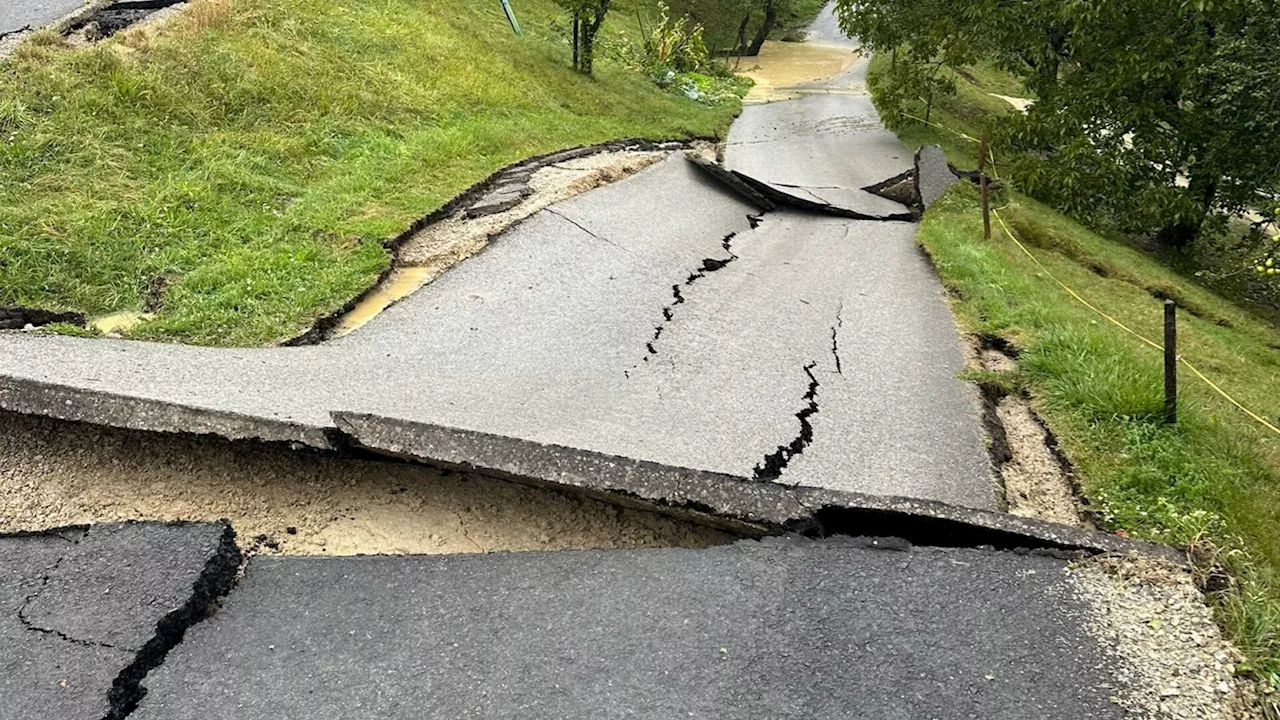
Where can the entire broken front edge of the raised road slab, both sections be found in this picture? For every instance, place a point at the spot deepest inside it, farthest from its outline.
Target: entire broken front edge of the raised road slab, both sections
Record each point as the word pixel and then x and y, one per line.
pixel 737 504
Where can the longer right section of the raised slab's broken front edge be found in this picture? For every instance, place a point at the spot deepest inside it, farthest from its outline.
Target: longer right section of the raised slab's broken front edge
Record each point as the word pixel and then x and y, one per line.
pixel 753 508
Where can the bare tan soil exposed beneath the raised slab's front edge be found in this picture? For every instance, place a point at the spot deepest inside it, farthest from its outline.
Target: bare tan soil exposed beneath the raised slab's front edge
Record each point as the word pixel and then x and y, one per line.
pixel 56 473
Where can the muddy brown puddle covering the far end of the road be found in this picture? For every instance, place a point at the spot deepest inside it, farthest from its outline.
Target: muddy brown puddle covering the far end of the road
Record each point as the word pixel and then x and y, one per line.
pixel 785 66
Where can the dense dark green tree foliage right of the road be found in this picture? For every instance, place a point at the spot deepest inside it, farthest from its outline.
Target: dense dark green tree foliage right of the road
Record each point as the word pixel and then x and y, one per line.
pixel 1156 116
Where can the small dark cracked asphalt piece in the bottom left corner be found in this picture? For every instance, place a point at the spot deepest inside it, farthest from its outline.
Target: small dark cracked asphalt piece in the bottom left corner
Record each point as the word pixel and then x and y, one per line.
pixel 85 613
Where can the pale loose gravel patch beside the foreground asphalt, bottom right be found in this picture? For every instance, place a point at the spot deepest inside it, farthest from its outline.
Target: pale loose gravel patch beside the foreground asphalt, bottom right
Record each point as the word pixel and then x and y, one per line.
pixel 1168 650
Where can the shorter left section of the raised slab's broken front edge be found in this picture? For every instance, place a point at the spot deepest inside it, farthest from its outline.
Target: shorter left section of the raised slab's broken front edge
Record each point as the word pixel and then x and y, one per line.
pixel 100 408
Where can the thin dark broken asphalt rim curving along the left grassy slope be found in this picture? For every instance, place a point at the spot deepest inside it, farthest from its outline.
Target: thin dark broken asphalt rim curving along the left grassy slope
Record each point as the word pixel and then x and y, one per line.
pixel 324 326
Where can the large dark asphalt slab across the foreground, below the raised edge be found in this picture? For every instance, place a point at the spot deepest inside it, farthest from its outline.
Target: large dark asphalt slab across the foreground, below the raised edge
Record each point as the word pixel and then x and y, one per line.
pixel 783 630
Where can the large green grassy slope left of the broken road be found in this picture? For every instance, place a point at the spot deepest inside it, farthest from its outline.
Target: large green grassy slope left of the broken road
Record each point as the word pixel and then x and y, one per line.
pixel 253 156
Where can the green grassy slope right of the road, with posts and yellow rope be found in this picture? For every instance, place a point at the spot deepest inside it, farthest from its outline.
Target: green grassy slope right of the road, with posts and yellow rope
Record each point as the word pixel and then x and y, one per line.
pixel 1212 481
